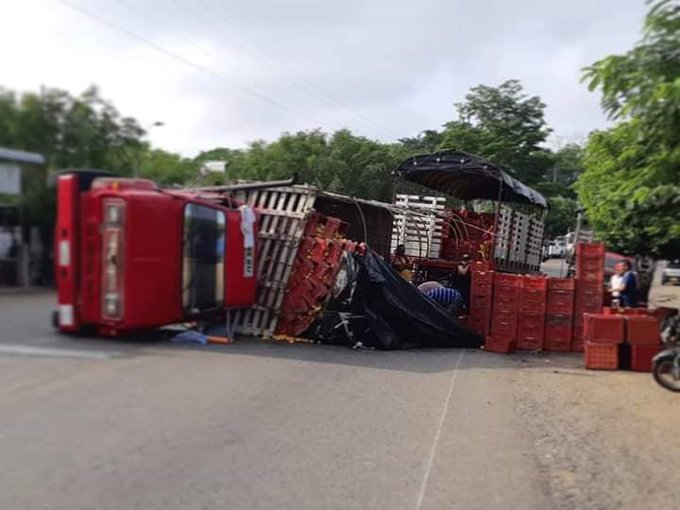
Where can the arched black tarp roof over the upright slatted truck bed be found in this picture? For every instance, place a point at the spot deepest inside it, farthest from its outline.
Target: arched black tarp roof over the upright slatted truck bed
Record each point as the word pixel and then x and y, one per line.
pixel 467 177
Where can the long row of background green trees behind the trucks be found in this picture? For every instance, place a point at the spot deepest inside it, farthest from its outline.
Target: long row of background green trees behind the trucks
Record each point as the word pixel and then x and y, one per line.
pixel 500 123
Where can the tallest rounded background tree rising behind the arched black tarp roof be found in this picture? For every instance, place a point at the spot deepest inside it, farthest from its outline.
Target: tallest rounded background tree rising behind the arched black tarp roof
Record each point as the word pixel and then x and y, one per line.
pixel 504 125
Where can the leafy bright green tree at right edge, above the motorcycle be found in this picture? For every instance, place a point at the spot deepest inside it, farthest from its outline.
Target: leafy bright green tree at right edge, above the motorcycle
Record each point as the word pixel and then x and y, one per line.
pixel 631 184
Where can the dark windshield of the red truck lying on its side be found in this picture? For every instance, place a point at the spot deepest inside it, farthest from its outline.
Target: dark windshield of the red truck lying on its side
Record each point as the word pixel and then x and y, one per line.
pixel 203 259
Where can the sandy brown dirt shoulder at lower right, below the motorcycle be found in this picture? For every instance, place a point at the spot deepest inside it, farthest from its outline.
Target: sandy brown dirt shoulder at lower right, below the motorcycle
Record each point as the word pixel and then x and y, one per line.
pixel 600 436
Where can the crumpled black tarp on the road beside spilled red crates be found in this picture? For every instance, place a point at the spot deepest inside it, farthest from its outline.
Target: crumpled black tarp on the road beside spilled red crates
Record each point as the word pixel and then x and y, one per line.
pixel 386 312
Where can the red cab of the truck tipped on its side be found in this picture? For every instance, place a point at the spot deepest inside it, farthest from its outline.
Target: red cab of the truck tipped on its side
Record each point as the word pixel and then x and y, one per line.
pixel 131 256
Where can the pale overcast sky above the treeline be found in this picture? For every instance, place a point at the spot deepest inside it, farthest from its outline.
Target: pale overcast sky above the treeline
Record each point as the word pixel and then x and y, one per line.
pixel 225 72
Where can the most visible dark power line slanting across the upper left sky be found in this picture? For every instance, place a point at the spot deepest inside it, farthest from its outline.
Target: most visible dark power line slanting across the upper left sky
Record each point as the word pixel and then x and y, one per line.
pixel 186 61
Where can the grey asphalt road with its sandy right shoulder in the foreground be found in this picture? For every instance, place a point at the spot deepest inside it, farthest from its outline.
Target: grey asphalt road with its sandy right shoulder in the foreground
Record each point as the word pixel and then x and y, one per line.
pixel 98 424
